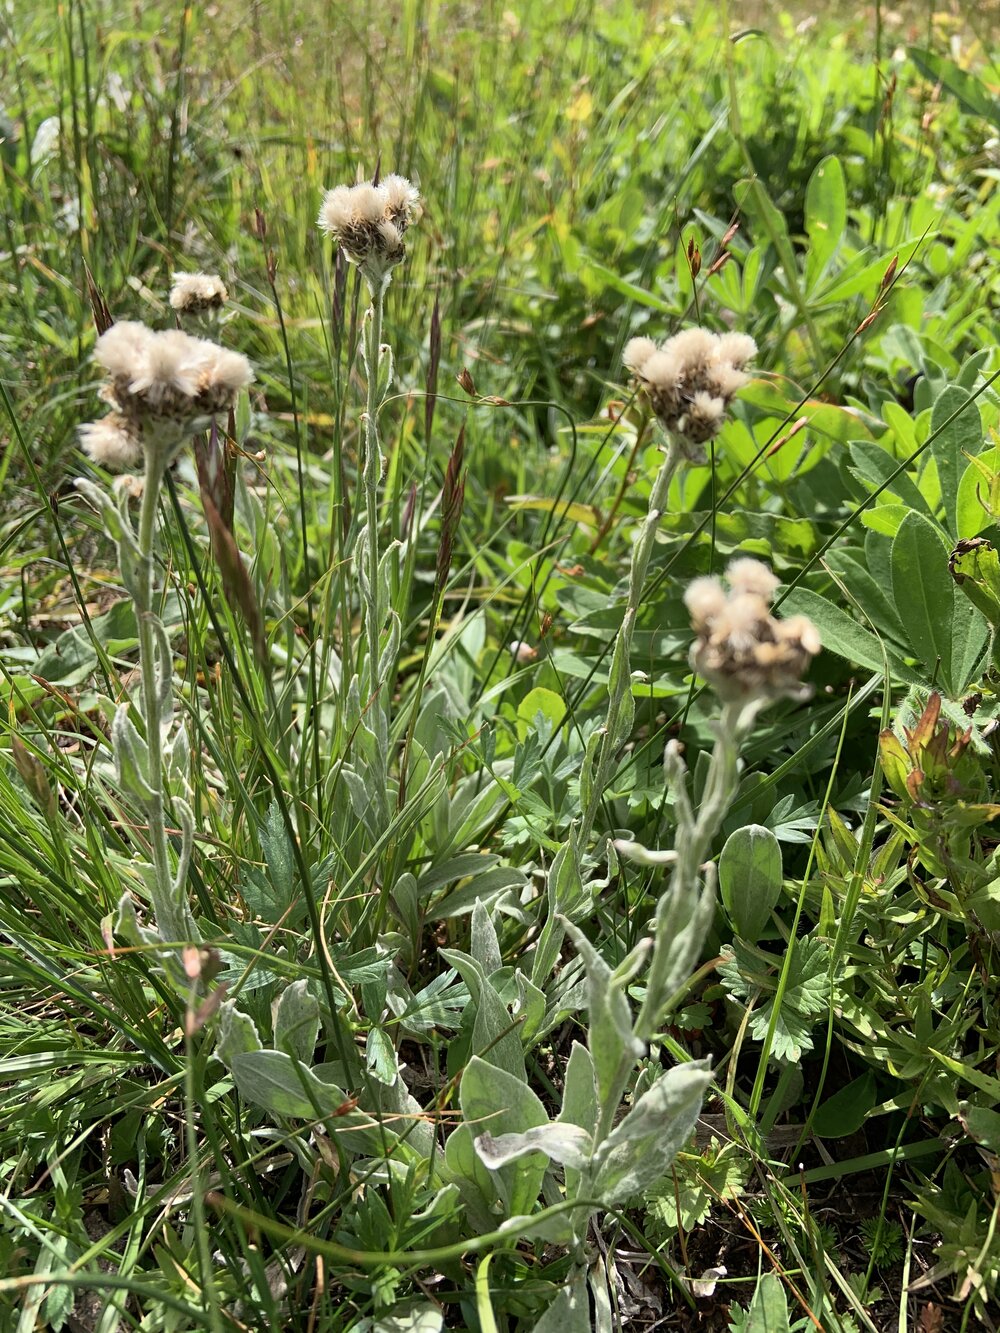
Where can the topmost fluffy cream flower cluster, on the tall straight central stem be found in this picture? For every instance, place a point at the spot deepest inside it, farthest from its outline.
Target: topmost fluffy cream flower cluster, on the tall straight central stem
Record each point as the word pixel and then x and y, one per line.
pixel 369 222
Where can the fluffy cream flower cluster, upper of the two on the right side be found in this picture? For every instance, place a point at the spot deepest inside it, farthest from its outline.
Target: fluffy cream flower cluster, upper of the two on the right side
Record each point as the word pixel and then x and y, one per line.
pixel 691 379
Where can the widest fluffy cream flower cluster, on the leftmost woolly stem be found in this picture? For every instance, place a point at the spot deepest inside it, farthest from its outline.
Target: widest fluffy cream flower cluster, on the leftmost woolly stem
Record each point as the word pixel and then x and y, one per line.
pixel 162 389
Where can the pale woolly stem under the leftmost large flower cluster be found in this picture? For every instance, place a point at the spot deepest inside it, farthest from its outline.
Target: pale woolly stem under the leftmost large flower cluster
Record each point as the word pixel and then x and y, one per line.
pixel 174 920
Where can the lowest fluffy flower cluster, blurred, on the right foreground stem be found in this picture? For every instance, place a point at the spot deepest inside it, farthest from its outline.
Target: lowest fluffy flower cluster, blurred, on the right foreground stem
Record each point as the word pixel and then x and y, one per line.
pixel 741 650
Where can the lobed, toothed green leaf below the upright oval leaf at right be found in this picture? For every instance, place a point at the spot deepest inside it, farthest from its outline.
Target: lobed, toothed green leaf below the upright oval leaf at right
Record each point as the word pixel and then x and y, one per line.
pixel 753 975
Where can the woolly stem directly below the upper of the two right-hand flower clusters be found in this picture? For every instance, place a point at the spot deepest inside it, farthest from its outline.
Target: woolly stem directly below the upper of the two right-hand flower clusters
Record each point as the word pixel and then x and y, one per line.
pixel 621 707
